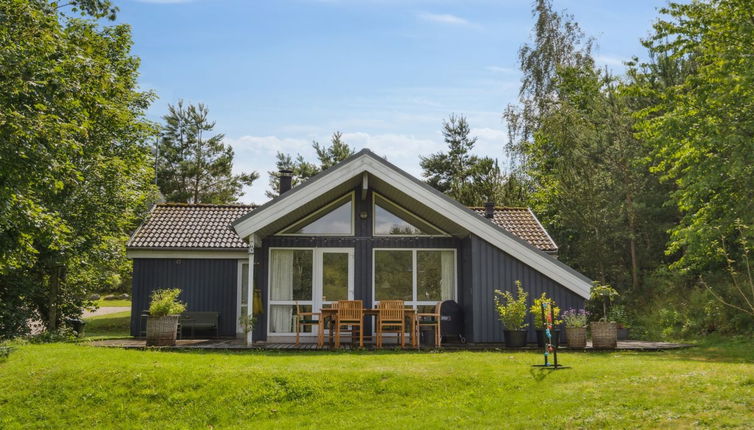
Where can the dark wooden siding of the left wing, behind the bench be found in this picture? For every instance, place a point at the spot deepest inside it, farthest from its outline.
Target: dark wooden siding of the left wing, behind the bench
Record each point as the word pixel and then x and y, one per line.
pixel 206 284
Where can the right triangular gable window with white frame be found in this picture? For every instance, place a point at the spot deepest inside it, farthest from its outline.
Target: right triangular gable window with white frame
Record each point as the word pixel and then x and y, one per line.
pixel 392 220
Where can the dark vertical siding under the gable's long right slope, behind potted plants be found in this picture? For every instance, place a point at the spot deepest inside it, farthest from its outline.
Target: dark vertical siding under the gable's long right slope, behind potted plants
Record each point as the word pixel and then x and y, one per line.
pixel 492 269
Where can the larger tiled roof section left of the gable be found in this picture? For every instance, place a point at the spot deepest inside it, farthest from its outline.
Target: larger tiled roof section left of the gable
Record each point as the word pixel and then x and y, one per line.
pixel 199 226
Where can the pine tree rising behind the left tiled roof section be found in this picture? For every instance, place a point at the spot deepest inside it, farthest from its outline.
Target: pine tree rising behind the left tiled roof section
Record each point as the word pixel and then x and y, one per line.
pixel 193 167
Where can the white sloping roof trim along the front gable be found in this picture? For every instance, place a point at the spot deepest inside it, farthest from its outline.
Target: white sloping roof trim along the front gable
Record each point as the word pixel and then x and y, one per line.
pixel 366 161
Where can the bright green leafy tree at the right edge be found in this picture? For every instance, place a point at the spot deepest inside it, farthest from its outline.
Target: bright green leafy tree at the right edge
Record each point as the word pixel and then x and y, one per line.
pixel 701 124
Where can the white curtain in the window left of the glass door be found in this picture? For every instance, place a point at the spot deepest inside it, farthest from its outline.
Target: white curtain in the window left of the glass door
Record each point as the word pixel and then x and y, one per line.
pixel 281 288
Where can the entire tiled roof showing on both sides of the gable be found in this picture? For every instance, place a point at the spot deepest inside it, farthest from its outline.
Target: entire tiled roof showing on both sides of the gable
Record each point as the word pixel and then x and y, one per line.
pixel 205 226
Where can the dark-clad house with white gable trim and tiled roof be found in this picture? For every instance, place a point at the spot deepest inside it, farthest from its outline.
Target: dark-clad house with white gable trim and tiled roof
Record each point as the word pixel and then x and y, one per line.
pixel 363 229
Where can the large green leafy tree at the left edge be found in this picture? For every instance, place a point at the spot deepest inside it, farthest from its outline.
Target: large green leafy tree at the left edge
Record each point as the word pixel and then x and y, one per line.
pixel 76 170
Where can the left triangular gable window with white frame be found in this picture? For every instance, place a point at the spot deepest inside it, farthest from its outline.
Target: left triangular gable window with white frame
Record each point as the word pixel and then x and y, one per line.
pixel 335 219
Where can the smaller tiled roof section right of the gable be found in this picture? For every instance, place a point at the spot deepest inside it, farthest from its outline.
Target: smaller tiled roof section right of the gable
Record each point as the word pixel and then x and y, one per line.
pixel 522 223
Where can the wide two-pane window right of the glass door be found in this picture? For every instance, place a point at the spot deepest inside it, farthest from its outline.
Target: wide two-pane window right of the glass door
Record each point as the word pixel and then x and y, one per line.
pixel 421 277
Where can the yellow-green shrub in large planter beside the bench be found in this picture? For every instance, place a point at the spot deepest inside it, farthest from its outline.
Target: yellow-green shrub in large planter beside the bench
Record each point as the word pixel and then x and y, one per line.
pixel 164 311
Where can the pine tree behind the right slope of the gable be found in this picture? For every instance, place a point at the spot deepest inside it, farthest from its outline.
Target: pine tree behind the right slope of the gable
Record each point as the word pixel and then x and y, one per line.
pixel 470 179
